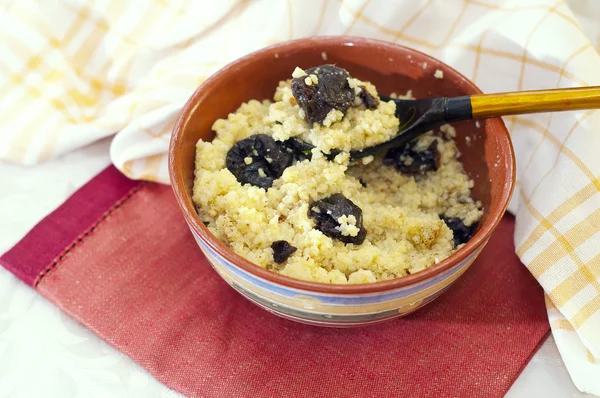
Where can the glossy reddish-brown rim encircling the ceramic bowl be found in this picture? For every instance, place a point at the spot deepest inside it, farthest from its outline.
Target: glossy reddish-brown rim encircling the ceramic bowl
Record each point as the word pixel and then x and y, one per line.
pixel 193 220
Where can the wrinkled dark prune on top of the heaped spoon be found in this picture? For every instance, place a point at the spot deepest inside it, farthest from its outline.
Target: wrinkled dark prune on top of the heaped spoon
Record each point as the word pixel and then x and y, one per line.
pixel 332 91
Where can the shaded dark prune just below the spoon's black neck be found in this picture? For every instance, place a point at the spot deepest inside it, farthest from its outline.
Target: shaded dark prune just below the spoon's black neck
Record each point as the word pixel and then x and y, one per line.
pixel 409 160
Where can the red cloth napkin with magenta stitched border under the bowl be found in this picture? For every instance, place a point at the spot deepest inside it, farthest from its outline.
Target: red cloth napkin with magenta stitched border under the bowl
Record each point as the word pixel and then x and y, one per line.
pixel 118 257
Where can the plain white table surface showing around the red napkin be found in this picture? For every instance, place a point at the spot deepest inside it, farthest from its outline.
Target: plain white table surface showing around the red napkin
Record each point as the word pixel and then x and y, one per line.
pixel 45 353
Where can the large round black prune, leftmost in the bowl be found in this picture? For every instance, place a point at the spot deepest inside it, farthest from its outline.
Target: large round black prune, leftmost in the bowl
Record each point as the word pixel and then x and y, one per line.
pixel 258 160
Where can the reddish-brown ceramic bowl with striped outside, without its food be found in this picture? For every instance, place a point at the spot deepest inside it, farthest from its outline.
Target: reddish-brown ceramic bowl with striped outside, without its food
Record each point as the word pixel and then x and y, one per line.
pixel 486 149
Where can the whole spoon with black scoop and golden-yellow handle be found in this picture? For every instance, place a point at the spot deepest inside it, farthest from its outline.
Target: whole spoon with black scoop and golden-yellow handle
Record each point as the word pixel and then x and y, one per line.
pixel 419 116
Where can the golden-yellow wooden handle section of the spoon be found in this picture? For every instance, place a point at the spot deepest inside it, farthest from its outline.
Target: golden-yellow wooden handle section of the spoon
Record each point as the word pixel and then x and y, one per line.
pixel 538 101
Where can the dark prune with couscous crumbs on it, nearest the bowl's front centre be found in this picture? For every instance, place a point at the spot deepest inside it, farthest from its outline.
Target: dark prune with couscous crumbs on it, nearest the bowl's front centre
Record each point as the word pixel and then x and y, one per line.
pixel 326 213
